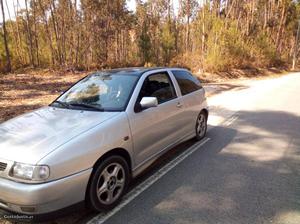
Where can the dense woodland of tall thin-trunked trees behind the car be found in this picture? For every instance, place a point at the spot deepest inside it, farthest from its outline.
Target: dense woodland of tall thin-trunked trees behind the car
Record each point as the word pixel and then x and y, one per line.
pixel 209 36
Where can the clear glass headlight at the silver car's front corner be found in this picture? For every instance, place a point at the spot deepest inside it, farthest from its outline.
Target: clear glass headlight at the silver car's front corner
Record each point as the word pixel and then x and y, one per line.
pixel 30 172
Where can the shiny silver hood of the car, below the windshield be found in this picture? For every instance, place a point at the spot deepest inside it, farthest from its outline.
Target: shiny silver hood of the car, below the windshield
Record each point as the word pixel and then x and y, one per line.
pixel 30 137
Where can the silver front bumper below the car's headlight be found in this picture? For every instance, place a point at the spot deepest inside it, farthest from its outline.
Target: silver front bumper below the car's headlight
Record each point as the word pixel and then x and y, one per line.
pixel 43 198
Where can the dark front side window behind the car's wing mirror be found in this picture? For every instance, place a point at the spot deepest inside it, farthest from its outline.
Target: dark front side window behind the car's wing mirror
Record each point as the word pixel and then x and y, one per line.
pixel 158 85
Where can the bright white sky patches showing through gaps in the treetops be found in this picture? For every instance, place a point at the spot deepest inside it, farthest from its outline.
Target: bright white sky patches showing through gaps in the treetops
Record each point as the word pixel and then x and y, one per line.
pixel 11 3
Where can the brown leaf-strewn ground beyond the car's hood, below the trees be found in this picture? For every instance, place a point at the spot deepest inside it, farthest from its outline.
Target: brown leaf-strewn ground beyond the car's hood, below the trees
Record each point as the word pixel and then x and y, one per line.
pixel 24 92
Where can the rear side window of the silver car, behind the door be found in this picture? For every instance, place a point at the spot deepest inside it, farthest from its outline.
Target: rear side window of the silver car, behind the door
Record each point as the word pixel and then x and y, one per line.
pixel 186 81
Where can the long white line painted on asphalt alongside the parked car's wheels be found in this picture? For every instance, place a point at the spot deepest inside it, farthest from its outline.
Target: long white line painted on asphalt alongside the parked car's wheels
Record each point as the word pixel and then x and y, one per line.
pixel 102 217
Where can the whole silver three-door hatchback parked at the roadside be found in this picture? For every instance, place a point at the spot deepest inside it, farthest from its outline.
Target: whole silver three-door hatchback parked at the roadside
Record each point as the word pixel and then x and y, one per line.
pixel 95 137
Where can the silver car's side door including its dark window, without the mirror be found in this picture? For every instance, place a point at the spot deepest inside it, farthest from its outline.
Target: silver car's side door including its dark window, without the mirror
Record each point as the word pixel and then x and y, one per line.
pixel 157 128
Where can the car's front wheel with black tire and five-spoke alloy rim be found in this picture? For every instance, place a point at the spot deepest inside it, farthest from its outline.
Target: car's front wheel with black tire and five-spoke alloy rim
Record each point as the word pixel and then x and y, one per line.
pixel 112 175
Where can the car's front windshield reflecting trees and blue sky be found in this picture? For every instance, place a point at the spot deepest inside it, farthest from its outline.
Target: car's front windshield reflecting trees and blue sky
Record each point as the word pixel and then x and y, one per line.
pixel 101 91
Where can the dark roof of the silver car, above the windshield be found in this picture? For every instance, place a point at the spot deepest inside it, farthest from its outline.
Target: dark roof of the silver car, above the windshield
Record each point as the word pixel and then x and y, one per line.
pixel 137 71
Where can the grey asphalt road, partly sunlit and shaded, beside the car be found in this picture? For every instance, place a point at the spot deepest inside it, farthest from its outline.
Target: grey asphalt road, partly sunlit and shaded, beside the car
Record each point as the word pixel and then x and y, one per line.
pixel 247 170
